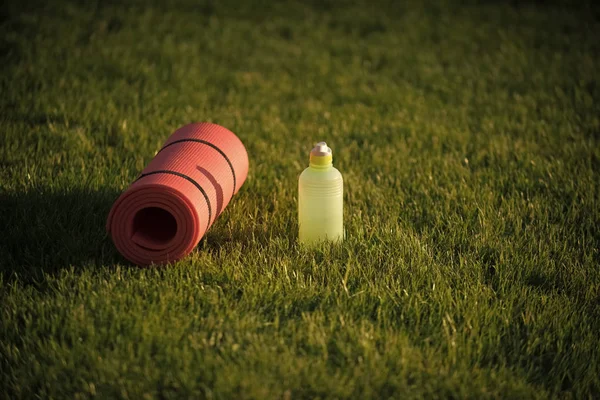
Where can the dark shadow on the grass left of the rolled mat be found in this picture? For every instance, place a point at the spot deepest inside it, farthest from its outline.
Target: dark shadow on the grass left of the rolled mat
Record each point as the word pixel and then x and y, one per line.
pixel 46 231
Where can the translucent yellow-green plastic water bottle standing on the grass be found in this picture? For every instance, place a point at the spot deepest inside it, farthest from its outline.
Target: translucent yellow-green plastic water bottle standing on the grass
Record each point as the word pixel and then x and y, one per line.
pixel 320 199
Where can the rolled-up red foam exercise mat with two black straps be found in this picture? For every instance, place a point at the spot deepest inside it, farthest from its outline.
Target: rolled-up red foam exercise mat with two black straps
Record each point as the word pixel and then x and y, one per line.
pixel 163 215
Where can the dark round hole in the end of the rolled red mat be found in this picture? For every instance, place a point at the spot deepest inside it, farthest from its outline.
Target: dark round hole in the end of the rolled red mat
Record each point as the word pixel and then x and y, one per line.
pixel 154 227
